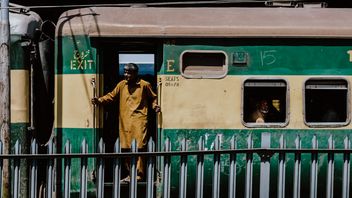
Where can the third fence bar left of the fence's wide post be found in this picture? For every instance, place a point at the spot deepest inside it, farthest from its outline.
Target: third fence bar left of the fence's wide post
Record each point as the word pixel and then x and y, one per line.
pixel 216 173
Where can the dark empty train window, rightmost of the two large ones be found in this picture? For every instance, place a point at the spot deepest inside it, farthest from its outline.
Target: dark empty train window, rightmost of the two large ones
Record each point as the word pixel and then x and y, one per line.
pixel 326 102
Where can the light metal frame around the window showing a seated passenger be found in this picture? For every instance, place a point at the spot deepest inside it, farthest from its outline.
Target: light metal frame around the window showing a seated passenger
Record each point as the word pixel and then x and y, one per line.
pixel 268 124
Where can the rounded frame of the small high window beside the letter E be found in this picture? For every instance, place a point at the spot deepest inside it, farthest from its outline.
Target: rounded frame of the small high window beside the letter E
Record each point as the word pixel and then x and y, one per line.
pixel 205 76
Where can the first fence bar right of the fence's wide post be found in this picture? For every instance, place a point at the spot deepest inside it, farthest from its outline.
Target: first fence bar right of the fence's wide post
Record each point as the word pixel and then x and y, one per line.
pixel 282 169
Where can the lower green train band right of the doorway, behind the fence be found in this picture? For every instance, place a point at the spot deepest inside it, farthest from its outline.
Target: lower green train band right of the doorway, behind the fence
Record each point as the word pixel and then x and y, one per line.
pixel 193 135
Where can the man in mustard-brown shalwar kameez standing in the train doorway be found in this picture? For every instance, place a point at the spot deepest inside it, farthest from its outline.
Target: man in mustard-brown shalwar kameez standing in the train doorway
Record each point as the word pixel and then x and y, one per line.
pixel 135 96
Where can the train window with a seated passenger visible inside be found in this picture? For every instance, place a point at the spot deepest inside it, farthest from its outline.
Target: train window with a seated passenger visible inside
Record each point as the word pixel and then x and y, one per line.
pixel 265 103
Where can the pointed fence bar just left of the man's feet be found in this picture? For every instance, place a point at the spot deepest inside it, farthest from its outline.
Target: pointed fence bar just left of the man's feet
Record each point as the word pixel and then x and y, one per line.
pixel 117 171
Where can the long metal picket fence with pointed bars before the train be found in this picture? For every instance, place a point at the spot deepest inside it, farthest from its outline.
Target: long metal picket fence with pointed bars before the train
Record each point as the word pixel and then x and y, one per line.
pixel 264 153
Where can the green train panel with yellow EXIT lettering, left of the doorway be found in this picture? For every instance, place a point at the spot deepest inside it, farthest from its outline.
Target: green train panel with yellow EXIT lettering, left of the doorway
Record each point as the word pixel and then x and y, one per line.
pixel 75 55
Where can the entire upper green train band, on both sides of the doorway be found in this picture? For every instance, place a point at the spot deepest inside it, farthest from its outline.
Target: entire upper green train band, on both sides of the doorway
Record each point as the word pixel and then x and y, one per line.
pixel 76 55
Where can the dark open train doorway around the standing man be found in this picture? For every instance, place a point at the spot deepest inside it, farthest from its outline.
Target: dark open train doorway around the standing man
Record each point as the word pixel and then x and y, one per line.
pixel 112 61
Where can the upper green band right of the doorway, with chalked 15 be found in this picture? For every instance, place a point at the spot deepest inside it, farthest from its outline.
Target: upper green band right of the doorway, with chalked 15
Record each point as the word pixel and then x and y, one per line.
pixel 271 56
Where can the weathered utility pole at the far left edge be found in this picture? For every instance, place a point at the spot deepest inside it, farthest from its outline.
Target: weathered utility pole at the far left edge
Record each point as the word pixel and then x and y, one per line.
pixel 5 119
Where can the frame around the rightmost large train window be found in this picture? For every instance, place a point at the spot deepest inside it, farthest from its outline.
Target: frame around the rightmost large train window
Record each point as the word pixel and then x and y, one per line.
pixel 327 124
